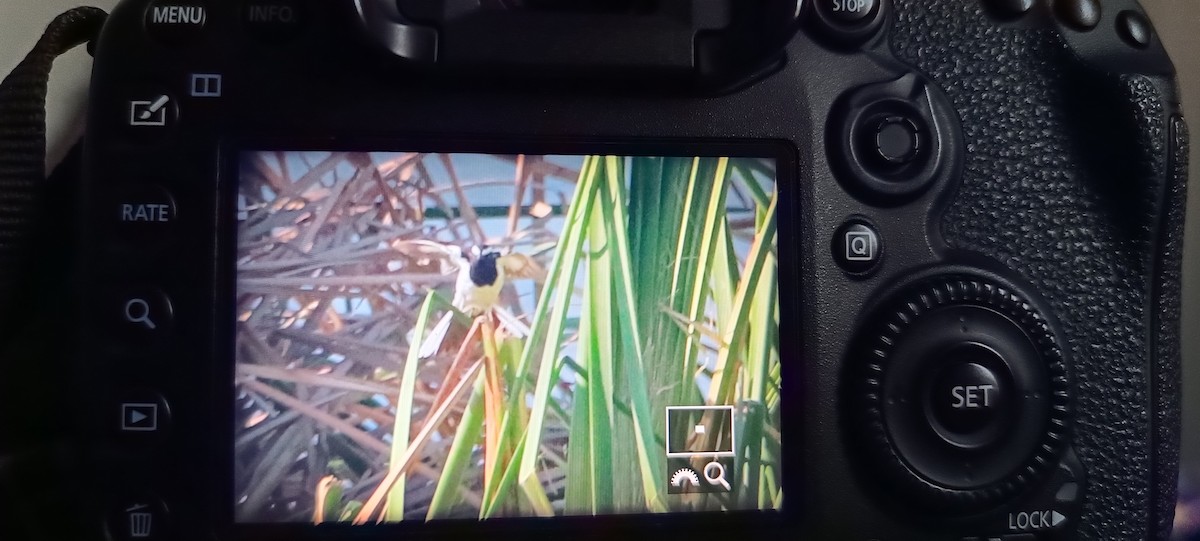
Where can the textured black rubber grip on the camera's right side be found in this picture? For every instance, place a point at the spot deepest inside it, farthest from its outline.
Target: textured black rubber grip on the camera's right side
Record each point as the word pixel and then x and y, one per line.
pixel 1076 212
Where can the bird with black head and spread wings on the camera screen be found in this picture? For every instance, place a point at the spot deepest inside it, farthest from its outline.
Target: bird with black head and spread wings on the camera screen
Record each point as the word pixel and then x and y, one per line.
pixel 482 276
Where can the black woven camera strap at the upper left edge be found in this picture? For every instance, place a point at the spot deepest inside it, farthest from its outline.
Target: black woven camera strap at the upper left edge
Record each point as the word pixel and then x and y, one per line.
pixel 23 142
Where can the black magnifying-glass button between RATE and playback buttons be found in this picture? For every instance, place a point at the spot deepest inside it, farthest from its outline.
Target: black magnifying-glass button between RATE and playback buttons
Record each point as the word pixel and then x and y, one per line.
pixel 141 316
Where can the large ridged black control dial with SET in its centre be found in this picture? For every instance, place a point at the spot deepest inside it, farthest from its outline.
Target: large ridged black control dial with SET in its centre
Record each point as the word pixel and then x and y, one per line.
pixel 957 398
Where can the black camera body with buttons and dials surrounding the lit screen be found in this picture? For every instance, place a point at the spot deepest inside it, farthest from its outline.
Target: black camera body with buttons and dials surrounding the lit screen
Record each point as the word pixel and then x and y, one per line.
pixel 1017 165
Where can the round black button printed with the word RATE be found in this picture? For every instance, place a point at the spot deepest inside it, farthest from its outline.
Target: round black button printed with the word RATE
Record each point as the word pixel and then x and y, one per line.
pixel 142 213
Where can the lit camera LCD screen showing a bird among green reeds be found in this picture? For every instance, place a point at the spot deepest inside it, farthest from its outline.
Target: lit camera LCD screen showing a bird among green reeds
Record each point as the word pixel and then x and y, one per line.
pixel 425 336
